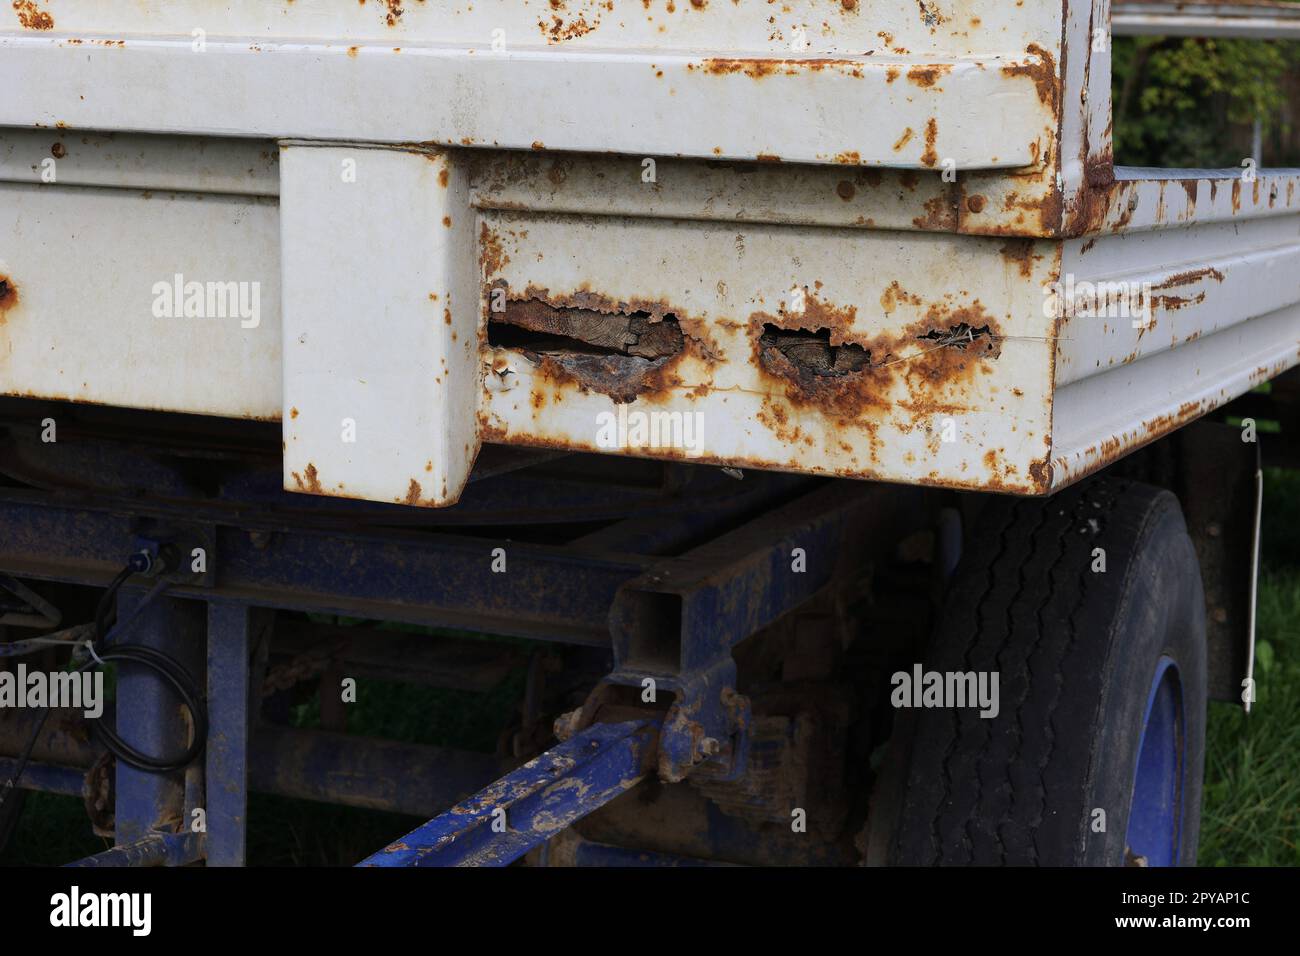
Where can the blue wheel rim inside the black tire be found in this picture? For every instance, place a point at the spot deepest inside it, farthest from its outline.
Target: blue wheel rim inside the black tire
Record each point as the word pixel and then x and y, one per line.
pixel 1156 811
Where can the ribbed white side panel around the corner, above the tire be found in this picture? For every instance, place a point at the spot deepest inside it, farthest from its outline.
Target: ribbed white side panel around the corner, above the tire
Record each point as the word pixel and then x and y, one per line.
pixel 1163 326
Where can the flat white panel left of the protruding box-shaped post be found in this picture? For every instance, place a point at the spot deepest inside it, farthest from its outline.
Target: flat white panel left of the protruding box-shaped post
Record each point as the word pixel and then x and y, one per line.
pixel 144 300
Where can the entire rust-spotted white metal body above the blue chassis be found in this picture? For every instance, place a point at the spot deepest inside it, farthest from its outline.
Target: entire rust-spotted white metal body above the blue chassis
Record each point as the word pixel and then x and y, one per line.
pixel 929 191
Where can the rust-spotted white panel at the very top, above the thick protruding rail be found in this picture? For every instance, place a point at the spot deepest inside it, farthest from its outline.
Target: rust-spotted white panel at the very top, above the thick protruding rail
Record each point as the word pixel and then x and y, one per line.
pixel 825 27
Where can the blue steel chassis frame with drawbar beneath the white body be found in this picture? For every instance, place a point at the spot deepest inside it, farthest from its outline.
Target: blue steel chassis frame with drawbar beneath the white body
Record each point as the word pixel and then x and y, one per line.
pixel 668 611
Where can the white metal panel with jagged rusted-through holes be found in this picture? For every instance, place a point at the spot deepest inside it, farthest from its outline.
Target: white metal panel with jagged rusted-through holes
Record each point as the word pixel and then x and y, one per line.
pixel 900 357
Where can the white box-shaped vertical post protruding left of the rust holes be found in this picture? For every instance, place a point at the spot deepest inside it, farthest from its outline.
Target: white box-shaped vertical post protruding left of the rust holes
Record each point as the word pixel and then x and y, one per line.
pixel 382 322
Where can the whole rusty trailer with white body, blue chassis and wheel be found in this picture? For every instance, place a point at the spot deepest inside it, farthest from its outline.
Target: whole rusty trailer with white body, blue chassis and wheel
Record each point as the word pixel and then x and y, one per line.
pixel 426 259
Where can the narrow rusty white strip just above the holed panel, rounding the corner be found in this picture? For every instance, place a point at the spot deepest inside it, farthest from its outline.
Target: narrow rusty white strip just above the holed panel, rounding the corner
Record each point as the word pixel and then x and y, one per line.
pixel 1132 200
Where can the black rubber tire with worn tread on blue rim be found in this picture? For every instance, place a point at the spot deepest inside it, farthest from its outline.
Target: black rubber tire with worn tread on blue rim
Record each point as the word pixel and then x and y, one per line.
pixel 1077 654
